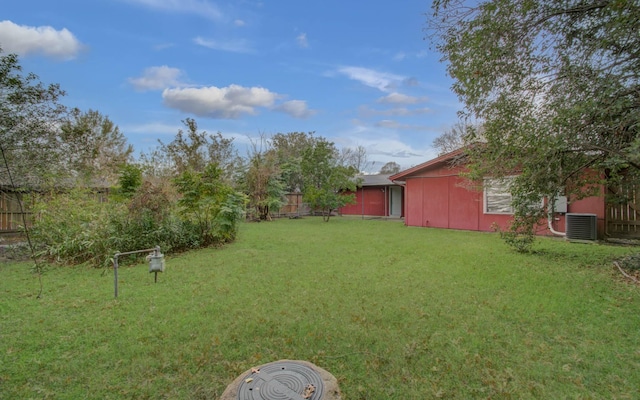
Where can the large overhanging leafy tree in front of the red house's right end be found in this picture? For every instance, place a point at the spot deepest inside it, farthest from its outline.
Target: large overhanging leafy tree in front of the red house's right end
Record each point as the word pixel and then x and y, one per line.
pixel 556 86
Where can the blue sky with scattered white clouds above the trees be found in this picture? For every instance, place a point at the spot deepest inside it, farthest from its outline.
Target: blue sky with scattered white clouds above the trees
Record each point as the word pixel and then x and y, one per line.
pixel 356 72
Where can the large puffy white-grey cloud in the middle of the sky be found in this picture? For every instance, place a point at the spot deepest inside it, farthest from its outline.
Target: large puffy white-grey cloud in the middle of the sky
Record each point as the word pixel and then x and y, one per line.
pixel 224 103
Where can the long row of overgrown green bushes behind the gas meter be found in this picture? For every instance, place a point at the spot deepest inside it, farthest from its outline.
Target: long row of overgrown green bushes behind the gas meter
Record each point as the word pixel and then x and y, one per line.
pixel 76 227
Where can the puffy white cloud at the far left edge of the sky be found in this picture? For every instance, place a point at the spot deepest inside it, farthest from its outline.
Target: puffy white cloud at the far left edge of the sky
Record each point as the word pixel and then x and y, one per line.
pixel 26 40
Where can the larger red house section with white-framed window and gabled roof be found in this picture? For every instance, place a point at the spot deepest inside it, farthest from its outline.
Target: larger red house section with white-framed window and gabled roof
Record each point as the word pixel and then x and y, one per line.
pixel 436 195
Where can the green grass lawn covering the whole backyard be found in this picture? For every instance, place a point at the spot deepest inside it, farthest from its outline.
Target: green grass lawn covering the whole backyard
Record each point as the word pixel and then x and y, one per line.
pixel 393 312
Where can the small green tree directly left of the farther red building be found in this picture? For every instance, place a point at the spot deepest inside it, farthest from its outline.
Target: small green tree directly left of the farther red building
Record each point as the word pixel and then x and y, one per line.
pixel 325 180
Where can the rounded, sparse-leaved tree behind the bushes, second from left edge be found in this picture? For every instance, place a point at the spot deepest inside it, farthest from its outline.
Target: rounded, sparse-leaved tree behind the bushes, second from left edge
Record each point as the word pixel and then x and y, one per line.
pixel 96 149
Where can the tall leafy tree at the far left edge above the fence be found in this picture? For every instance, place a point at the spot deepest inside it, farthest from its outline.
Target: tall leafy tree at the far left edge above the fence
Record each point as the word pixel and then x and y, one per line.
pixel 30 113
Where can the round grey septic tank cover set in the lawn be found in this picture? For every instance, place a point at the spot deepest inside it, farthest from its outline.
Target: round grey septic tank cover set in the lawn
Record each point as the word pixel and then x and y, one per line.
pixel 284 380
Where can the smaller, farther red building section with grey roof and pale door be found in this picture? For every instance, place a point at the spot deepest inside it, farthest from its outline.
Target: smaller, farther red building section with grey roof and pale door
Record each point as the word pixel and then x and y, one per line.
pixel 376 196
